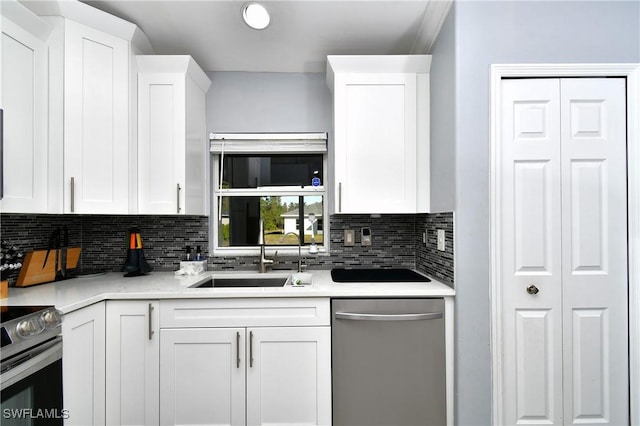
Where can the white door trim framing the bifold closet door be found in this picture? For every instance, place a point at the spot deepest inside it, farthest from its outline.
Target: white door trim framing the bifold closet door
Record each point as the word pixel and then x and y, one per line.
pixel 632 73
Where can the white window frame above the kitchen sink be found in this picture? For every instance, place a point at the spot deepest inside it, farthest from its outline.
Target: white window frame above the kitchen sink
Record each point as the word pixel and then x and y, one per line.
pixel 264 145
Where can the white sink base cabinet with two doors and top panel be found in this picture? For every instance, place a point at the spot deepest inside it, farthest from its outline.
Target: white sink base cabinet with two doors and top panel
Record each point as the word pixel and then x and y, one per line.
pixel 274 368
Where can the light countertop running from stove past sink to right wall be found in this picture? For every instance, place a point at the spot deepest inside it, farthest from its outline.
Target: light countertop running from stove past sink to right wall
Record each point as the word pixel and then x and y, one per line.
pixel 76 293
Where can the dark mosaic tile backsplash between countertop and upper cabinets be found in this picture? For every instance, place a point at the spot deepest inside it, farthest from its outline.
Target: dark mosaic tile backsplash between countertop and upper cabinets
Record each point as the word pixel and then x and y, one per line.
pixel 396 241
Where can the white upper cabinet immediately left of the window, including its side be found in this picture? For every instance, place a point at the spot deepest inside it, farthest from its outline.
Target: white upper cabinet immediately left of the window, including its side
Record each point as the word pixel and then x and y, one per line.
pixel 173 159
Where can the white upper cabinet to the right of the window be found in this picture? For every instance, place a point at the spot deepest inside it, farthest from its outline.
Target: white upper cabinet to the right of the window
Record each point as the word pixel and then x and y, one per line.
pixel 380 149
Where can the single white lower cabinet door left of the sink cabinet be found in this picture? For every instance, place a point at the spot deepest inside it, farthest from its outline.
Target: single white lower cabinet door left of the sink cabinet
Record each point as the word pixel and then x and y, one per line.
pixel 132 364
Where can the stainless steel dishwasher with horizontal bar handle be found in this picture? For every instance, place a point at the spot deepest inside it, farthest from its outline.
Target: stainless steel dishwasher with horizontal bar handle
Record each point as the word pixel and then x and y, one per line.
pixel 388 362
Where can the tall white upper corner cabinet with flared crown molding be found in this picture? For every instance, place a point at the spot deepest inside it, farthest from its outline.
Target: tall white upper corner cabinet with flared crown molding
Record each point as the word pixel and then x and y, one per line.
pixel 91 137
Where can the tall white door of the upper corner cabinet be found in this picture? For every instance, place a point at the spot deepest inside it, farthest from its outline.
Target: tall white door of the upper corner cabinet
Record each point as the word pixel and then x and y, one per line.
pixel 96 121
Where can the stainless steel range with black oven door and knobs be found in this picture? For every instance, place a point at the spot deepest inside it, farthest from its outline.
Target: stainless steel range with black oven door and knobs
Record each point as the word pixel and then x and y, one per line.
pixel 31 366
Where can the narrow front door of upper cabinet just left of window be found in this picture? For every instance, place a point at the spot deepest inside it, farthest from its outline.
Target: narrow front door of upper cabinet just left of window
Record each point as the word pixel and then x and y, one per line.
pixel 161 143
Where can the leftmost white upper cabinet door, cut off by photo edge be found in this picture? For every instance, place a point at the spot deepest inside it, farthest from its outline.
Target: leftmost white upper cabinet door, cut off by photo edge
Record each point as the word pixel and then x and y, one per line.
pixel 24 101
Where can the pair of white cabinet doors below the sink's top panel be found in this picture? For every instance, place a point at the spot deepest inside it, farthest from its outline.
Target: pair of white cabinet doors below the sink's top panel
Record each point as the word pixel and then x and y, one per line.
pixel 287 371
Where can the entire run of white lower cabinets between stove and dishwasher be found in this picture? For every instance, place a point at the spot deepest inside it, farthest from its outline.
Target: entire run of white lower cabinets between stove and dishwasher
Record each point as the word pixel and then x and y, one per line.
pixel 198 361
